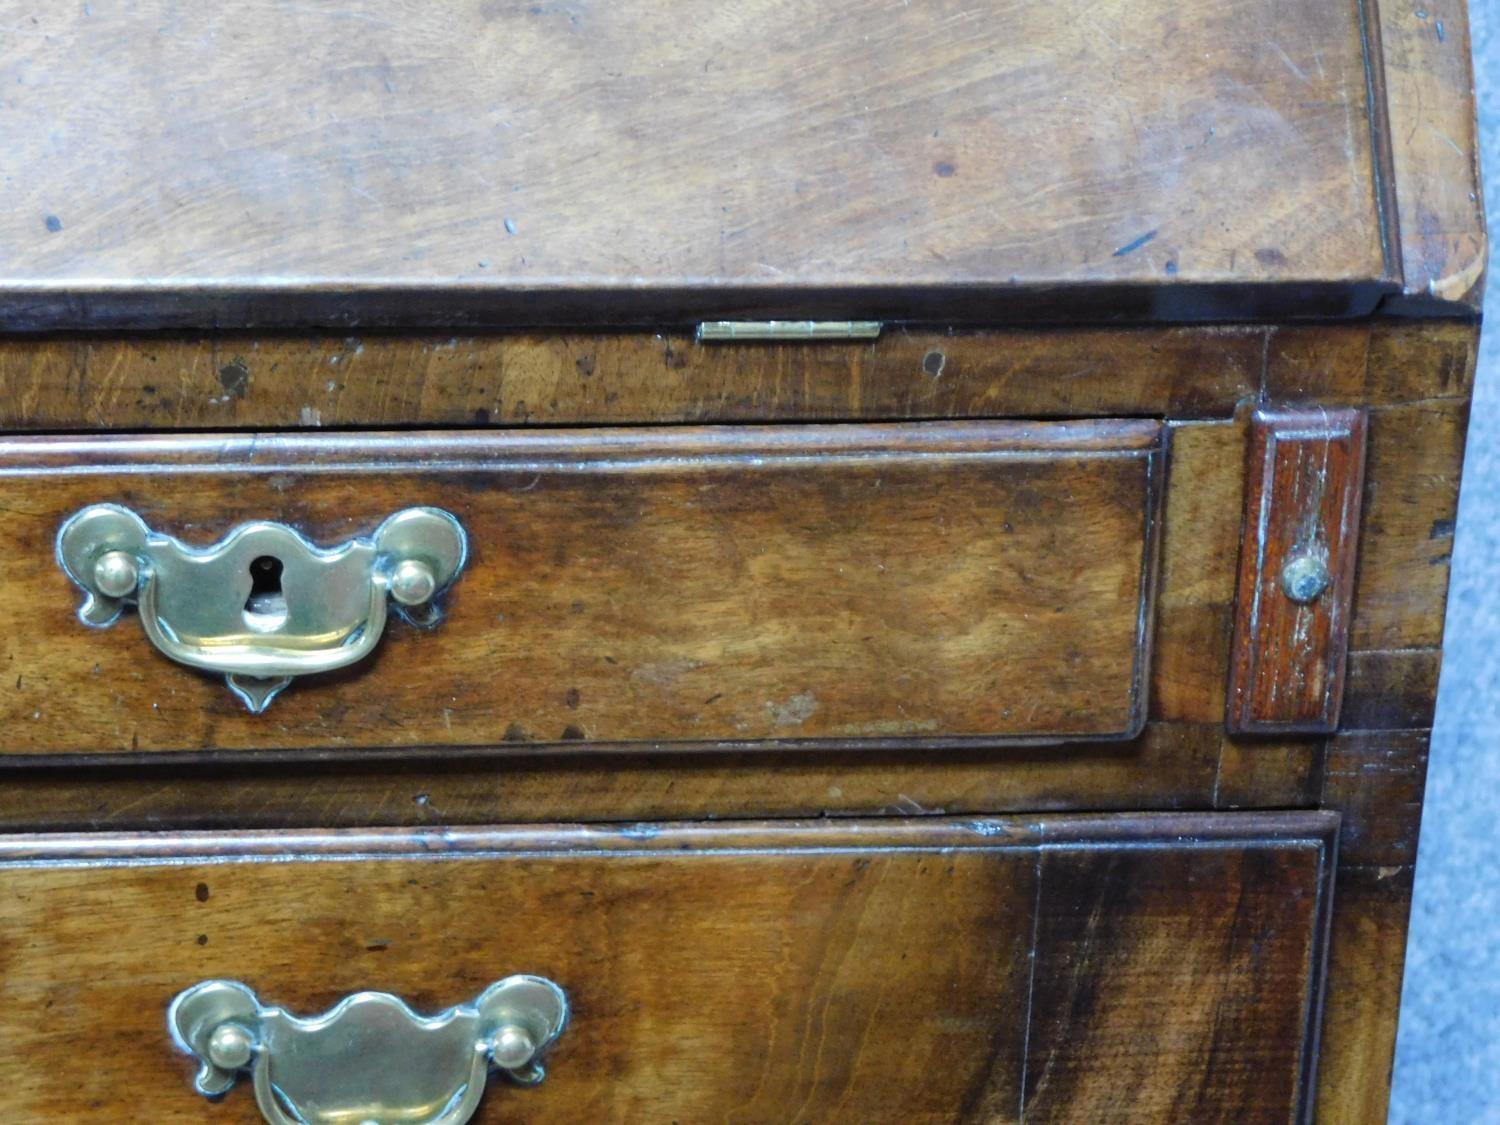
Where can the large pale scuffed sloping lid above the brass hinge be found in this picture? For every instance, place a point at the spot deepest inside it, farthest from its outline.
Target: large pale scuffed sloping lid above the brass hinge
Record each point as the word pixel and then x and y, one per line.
pixel 512 163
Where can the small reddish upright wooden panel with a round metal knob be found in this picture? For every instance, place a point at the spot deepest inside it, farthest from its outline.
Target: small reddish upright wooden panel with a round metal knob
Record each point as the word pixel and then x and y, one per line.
pixel 1304 485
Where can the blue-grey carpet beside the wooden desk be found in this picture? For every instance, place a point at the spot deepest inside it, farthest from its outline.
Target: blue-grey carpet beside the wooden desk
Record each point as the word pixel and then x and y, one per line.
pixel 1448 1052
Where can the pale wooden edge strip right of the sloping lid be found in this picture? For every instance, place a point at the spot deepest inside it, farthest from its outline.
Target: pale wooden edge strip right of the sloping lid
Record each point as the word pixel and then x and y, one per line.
pixel 1427 73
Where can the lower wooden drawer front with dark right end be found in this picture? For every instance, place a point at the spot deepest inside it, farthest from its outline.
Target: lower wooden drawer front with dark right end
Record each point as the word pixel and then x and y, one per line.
pixel 1105 970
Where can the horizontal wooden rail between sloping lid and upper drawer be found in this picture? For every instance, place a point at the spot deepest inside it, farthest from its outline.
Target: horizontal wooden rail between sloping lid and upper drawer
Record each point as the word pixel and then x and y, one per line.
pixel 247 382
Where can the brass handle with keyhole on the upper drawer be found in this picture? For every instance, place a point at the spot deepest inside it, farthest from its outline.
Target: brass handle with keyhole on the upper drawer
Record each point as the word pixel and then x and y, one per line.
pixel 262 605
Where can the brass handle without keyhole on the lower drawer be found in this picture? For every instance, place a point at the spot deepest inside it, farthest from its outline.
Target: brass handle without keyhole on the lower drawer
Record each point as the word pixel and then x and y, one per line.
pixel 371 1060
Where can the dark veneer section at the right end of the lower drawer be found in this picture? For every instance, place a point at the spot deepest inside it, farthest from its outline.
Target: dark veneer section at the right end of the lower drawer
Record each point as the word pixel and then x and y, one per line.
pixel 1093 1006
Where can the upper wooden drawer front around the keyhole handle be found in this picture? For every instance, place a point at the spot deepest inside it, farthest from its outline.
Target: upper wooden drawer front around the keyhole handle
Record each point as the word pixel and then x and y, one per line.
pixel 872 586
